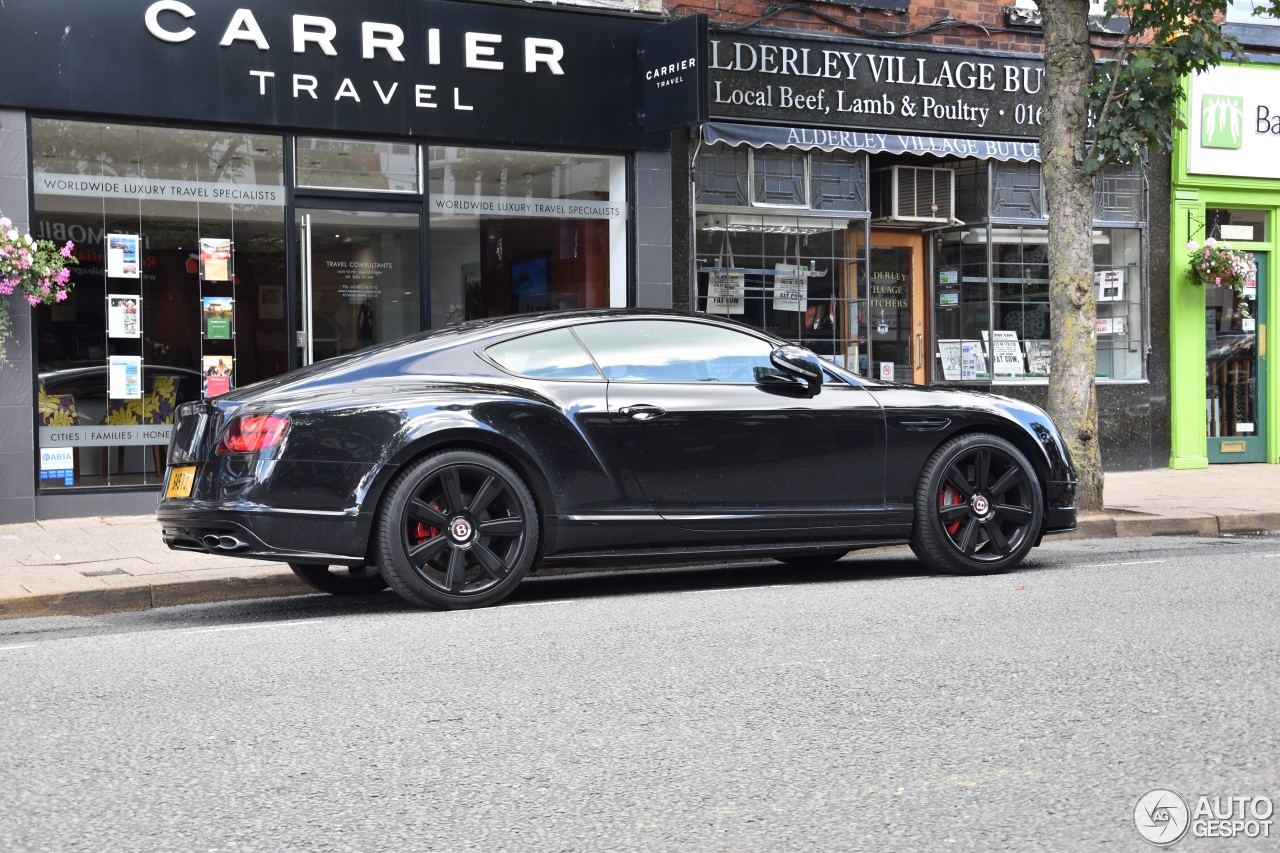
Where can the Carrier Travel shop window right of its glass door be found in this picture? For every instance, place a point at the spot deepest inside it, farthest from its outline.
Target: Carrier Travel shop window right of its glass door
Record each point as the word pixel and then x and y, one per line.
pixel 524 231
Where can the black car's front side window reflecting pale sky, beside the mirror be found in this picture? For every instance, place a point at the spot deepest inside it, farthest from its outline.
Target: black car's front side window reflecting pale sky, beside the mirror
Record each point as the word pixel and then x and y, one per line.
pixel 674 352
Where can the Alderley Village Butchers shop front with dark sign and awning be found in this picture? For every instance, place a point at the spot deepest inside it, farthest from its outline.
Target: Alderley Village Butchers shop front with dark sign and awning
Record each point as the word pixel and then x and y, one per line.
pixel 883 204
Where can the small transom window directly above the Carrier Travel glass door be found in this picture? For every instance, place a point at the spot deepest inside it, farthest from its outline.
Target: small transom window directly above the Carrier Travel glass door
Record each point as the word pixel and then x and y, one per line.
pixel 358 165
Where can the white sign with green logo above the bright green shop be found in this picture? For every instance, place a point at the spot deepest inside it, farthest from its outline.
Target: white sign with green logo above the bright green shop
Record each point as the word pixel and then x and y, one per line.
pixel 1233 124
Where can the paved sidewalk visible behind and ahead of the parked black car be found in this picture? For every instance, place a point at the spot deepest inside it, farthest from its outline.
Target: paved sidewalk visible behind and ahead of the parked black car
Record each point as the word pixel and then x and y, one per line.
pixel 99 565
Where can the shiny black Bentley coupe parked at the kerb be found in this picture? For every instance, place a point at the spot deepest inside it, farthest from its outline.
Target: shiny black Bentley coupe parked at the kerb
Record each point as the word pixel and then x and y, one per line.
pixel 451 464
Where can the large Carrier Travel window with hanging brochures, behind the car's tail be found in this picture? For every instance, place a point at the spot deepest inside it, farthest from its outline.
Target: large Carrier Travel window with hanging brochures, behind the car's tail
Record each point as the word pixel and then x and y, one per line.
pixel 179 293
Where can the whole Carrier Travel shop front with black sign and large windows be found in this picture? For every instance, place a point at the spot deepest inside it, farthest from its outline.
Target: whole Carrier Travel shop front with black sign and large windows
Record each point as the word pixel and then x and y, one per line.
pixel 257 188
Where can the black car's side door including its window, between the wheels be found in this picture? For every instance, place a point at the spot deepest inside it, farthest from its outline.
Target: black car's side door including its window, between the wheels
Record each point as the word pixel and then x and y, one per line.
pixel 714 449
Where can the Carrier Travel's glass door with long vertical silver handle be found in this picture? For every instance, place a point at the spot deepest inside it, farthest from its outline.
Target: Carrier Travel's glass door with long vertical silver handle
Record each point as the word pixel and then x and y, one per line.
pixel 362 280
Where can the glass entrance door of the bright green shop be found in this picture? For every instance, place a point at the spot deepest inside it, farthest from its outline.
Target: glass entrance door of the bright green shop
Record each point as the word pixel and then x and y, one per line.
pixel 1236 372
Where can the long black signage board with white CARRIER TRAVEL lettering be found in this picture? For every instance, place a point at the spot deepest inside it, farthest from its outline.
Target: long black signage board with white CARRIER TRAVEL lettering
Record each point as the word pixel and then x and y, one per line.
pixel 473 71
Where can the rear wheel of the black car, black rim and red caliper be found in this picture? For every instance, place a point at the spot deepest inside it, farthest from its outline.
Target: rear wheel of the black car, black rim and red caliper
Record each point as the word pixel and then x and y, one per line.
pixel 458 530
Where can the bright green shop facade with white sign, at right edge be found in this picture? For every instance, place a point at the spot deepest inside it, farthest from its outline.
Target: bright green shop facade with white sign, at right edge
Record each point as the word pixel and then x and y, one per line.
pixel 1227 190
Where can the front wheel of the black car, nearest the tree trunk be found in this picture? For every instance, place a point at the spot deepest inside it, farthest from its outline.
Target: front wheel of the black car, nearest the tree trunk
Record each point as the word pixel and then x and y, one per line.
pixel 979 507
